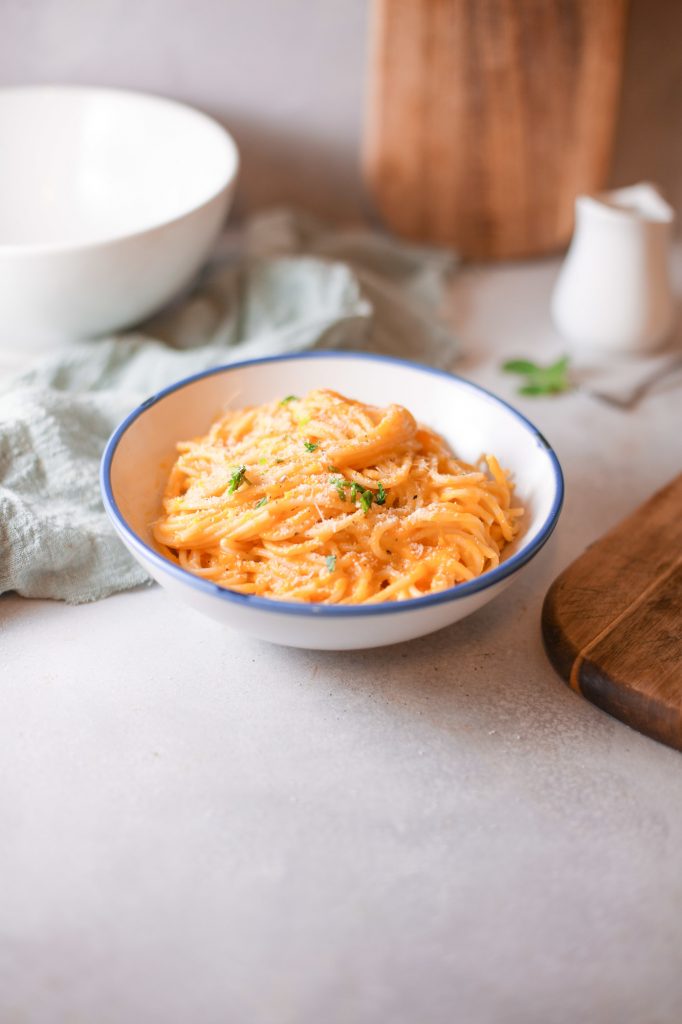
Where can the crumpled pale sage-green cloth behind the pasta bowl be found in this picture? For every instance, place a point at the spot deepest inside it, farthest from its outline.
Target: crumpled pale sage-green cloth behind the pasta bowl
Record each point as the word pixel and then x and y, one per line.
pixel 285 284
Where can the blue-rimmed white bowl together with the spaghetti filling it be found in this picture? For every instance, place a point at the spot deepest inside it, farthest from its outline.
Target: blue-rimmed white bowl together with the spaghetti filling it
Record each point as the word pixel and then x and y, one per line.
pixel 331 500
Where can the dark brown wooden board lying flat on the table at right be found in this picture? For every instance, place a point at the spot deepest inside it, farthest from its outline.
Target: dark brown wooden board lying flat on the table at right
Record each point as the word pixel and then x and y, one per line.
pixel 613 621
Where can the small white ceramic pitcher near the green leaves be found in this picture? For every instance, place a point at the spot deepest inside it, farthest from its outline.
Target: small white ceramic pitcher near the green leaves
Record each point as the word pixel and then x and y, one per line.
pixel 614 293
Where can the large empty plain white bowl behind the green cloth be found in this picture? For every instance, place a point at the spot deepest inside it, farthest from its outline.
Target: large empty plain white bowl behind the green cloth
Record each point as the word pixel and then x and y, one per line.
pixel 109 203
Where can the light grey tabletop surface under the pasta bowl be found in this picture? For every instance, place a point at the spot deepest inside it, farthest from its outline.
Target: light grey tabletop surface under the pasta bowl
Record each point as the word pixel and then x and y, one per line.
pixel 196 827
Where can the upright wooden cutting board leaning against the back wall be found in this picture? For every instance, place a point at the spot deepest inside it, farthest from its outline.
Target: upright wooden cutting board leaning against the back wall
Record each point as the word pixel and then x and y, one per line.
pixel 487 118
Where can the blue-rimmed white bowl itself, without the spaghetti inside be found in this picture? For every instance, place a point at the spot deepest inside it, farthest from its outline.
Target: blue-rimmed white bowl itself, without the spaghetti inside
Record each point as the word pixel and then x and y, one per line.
pixel 141 452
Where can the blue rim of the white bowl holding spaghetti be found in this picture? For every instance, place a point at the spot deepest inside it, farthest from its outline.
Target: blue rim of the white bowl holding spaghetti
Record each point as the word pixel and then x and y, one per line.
pixel 456 593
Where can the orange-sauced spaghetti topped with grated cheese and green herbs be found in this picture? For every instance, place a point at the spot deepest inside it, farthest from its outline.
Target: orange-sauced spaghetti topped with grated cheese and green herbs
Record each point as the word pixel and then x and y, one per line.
pixel 324 499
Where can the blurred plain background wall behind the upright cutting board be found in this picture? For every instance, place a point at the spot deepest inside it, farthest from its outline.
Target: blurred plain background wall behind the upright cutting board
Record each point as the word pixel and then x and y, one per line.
pixel 288 78
